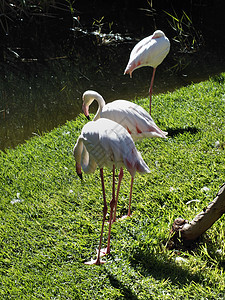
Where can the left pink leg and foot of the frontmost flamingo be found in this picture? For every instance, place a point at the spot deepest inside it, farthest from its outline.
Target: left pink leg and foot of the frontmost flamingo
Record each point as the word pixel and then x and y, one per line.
pixel 98 261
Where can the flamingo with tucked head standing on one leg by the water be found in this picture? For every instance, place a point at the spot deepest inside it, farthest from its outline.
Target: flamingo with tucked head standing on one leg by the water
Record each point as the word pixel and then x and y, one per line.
pixel 150 51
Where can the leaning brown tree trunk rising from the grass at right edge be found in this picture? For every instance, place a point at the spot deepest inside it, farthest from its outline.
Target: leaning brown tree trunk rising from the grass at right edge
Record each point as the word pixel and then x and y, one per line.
pixel 203 221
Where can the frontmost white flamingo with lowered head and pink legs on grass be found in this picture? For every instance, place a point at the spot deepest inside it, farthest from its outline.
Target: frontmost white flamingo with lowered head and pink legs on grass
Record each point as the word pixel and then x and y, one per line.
pixel 107 143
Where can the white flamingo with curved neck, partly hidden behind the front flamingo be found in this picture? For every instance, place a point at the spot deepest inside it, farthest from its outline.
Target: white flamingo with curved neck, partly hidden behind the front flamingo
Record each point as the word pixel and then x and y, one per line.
pixel 130 115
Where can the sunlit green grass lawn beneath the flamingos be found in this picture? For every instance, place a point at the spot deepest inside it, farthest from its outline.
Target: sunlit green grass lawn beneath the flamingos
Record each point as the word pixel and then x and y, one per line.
pixel 54 226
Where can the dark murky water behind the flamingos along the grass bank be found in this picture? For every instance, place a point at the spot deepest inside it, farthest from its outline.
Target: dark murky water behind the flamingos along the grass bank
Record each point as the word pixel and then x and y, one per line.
pixel 38 96
